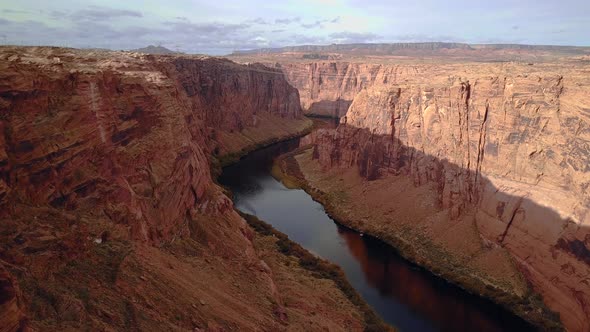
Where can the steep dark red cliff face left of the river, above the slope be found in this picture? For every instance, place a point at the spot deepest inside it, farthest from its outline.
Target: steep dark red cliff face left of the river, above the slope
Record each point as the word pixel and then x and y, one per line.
pixel 145 124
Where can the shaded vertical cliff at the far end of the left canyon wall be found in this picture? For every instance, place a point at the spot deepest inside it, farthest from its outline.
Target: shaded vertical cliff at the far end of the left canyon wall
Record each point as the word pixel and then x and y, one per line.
pixel 232 102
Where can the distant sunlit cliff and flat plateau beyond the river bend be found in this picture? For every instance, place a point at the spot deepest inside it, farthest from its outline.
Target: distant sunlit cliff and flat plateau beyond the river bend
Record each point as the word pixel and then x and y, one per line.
pixel 327 88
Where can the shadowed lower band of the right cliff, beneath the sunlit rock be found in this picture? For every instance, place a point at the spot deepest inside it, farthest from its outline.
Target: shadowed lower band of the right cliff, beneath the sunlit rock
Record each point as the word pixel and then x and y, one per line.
pixel 551 251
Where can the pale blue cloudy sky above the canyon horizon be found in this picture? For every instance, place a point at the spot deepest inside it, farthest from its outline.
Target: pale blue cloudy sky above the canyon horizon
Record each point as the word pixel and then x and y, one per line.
pixel 222 26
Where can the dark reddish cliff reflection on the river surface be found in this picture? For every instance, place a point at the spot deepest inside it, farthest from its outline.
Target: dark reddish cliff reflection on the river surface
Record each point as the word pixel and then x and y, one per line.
pixel 387 272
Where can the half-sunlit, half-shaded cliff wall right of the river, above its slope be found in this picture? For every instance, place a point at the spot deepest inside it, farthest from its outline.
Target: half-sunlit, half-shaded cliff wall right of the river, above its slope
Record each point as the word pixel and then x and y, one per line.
pixel 508 146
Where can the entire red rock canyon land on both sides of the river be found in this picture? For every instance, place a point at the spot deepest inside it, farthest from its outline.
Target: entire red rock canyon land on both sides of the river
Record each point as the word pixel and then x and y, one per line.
pixel 472 161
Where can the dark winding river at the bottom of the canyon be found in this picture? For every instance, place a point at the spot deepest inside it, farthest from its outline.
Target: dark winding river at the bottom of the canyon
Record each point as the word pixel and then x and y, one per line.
pixel 404 295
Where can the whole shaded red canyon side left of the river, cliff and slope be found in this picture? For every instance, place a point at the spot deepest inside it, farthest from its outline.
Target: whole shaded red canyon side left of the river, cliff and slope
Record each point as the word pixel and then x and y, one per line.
pixel 110 218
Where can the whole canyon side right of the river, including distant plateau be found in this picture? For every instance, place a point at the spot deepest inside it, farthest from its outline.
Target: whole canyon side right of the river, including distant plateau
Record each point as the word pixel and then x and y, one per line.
pixel 475 169
